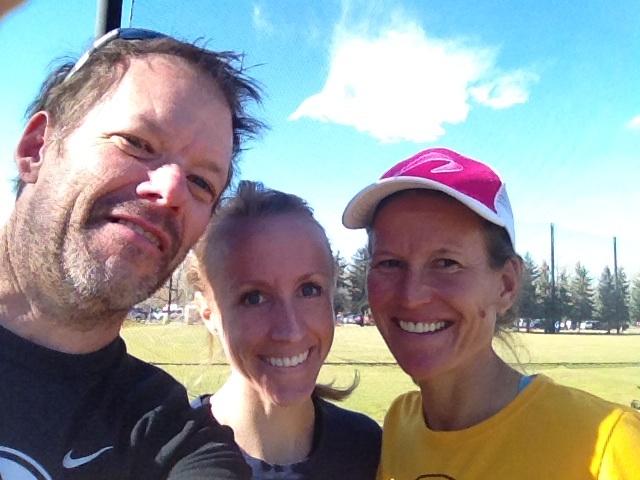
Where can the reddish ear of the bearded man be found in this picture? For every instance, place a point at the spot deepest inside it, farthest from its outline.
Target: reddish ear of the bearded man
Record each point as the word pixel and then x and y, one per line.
pixel 30 150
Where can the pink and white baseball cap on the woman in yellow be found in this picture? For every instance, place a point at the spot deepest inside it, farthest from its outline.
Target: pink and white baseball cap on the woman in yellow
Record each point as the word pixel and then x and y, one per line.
pixel 472 183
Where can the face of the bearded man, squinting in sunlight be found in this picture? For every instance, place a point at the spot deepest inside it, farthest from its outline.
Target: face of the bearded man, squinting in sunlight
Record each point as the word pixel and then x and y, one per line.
pixel 116 207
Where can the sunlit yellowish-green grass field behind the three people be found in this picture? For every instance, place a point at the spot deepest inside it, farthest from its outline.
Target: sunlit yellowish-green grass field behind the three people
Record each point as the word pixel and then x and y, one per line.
pixel 606 365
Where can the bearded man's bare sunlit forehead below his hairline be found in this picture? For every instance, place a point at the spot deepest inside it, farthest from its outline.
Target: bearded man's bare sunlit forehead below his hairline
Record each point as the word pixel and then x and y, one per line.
pixel 164 100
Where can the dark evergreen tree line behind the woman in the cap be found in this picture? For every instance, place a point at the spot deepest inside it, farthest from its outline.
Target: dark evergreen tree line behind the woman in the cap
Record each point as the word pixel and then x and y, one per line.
pixel 573 300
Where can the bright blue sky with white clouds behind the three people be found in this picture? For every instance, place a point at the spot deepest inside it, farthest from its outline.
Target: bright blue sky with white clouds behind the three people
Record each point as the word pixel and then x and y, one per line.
pixel 546 92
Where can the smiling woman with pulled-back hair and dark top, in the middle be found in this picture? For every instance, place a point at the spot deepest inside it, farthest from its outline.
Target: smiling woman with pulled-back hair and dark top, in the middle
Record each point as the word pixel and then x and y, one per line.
pixel 267 277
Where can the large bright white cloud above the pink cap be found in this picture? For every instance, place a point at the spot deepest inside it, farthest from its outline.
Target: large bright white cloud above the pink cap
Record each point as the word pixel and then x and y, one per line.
pixel 399 84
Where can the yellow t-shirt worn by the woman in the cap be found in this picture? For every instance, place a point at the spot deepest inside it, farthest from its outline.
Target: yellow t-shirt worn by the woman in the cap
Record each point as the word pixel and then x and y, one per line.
pixel 547 432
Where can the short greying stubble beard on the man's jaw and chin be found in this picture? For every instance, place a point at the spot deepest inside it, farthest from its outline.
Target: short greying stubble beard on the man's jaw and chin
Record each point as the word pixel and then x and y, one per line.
pixel 72 285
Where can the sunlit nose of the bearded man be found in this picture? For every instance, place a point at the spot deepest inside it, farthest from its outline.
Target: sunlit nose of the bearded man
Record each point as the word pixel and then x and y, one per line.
pixel 166 186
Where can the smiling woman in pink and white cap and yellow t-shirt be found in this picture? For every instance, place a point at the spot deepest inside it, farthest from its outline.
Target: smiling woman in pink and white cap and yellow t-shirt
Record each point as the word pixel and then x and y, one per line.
pixel 444 275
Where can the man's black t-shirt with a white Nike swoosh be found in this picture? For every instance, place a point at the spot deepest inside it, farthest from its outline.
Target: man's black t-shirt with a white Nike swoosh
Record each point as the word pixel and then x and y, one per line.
pixel 103 415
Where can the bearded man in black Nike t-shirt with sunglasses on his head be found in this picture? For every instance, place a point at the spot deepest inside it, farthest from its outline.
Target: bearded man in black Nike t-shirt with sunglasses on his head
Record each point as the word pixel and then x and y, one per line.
pixel 121 163
